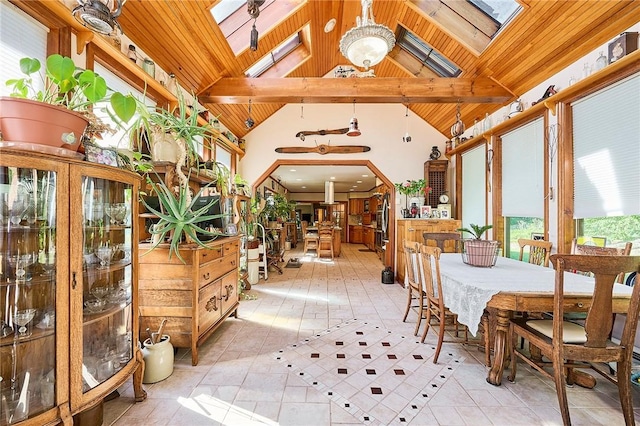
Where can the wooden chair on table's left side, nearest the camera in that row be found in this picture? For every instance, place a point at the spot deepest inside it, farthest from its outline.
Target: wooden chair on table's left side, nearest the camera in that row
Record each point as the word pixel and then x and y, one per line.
pixel 436 308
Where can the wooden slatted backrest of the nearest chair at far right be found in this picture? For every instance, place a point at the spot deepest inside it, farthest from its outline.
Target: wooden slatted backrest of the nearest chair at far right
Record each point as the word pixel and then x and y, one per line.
pixel 599 320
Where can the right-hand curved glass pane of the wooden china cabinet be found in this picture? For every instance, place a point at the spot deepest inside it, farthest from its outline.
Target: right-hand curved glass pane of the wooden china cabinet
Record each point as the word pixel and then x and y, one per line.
pixel 107 279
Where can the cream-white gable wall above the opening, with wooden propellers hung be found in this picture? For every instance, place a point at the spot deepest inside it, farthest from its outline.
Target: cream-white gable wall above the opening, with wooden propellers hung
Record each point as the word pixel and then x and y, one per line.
pixel 382 127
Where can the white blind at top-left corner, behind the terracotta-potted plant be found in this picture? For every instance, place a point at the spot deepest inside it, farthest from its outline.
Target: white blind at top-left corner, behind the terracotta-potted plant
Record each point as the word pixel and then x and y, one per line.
pixel 20 36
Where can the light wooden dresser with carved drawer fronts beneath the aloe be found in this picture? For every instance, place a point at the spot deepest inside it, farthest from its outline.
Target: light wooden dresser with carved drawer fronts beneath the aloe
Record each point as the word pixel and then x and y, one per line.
pixel 195 296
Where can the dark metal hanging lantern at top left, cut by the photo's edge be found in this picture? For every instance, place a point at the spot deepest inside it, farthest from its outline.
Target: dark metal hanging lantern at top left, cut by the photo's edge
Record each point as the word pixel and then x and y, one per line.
pixel 99 15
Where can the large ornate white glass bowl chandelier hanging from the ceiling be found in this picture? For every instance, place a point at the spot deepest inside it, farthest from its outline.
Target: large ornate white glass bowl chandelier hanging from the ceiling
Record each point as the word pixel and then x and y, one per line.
pixel 366 44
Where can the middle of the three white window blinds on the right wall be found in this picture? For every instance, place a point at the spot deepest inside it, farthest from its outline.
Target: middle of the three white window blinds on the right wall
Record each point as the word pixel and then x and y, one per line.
pixel 522 171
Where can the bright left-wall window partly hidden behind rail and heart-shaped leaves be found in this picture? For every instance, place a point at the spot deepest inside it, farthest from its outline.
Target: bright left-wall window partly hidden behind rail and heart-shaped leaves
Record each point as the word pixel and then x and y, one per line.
pixel 120 138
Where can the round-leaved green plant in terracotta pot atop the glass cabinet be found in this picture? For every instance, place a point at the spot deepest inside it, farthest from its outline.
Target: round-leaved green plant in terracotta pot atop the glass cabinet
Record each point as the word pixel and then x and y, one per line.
pixel 58 114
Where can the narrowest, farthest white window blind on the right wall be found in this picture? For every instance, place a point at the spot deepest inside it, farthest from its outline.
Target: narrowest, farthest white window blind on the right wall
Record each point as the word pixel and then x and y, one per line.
pixel 474 182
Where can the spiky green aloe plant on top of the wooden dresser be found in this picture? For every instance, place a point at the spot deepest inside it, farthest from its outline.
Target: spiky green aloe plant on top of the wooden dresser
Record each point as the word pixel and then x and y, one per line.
pixel 178 217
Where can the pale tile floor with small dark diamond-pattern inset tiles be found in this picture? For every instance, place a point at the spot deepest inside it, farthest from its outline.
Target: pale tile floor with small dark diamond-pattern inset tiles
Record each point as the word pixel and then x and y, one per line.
pixel 324 345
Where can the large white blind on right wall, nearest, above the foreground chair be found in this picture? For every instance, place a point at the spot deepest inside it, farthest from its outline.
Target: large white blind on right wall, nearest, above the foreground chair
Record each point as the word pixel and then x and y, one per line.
pixel 606 142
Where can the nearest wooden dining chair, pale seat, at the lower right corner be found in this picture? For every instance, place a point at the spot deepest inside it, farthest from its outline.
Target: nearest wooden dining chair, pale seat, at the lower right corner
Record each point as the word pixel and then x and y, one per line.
pixel 583 346
